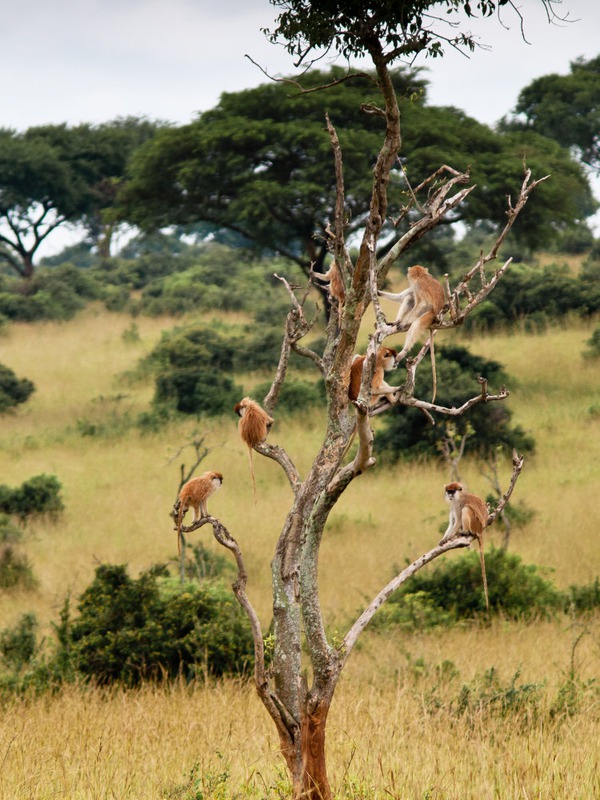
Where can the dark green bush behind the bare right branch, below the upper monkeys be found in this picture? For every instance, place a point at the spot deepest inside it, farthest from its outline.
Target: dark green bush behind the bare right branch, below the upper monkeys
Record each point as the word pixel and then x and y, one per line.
pixel 406 432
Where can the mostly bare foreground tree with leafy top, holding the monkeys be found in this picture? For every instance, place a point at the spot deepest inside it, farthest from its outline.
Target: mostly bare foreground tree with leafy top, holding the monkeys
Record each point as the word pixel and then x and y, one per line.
pixel 299 703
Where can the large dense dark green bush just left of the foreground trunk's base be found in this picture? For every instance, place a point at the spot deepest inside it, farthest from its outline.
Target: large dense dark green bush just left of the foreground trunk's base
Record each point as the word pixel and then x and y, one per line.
pixel 151 628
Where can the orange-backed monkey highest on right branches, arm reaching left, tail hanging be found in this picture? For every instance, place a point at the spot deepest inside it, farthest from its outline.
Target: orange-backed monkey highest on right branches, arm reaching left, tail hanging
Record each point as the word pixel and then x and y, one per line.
pixel 419 305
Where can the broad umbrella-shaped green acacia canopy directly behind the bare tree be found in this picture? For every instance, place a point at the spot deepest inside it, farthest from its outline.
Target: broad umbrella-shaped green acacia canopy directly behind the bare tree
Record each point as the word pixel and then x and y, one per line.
pixel 259 164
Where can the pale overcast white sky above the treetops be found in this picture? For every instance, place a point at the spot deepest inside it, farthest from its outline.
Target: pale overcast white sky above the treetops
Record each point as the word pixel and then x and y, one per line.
pixel 95 60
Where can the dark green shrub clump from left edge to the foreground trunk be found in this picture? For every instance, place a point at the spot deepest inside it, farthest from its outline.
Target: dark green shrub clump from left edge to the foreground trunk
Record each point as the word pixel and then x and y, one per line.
pixel 127 631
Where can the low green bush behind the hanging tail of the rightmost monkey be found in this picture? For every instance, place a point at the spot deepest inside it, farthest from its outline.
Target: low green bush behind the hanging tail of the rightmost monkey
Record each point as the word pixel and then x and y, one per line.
pixel 453 590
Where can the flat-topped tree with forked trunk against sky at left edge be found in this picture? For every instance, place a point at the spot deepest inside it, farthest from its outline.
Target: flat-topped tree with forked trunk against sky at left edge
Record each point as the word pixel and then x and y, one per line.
pixel 52 175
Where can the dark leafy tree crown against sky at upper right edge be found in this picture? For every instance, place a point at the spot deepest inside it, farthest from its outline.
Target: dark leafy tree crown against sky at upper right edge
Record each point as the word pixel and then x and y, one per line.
pixel 565 108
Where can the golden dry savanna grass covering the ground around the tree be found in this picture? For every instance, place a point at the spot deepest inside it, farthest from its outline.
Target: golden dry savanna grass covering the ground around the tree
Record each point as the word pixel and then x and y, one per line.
pixel 474 712
